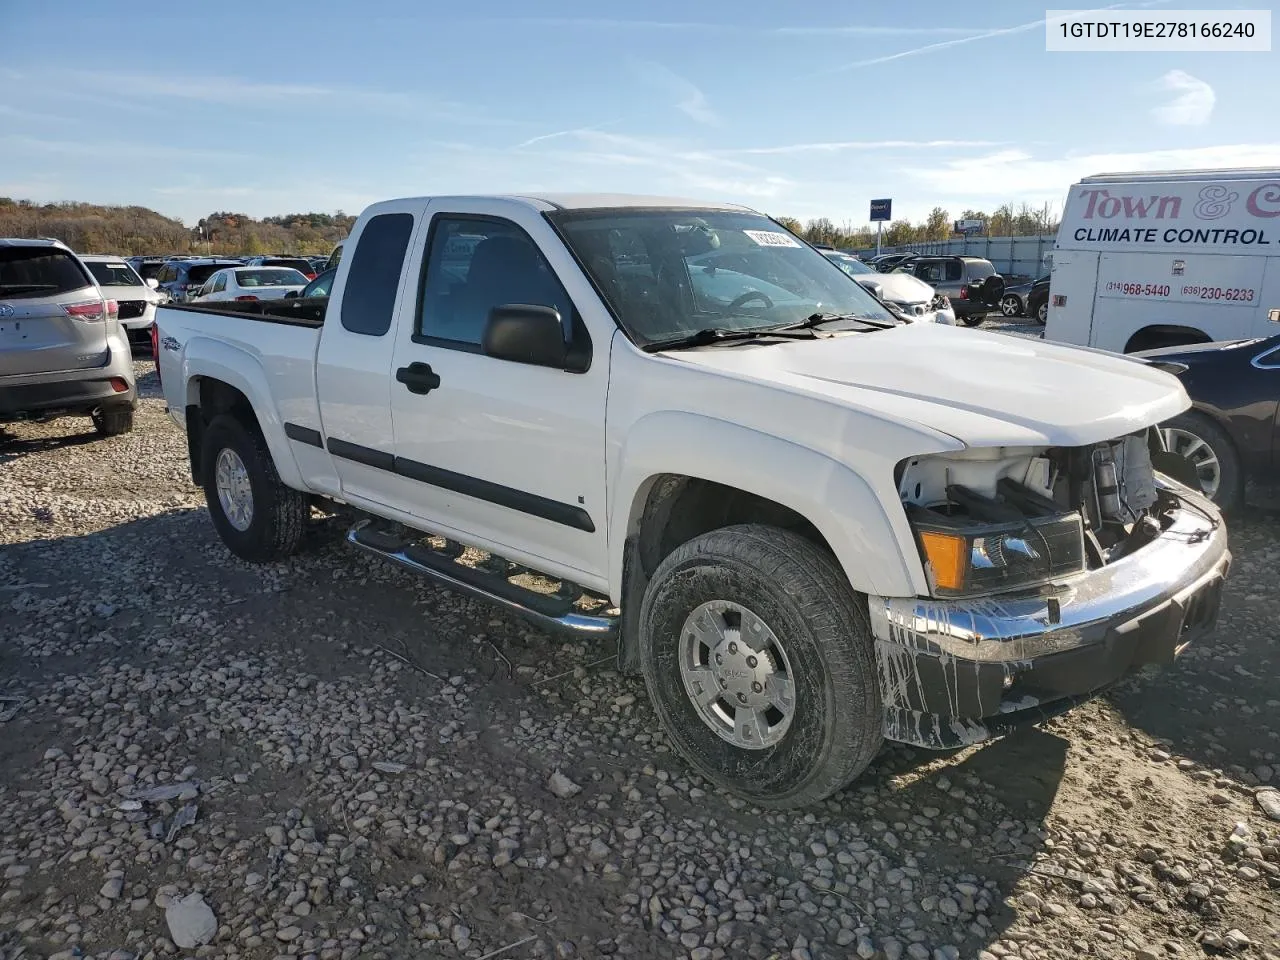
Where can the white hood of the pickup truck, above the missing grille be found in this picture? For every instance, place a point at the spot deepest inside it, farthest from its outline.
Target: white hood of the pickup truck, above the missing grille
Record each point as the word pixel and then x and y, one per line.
pixel 985 390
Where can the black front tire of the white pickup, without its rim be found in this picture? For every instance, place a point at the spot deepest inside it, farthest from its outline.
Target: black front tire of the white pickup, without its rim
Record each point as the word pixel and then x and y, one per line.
pixel 802 595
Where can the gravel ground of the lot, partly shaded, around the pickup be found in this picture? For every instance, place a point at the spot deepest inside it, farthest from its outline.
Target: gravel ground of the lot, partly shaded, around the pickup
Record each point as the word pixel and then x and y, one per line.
pixel 328 758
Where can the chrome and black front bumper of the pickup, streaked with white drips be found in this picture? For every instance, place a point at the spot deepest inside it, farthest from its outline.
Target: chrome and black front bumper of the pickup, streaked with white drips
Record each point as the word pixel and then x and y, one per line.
pixel 957 673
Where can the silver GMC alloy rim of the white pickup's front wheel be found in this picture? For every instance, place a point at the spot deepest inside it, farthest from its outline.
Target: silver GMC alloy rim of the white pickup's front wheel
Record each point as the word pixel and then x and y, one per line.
pixel 737 675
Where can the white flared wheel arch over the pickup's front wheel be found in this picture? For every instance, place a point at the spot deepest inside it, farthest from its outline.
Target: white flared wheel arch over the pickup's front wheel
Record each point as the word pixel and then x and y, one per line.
pixel 840 504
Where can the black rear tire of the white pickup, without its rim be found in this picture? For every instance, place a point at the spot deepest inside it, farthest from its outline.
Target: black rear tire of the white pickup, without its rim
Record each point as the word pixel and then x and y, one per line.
pixel 280 514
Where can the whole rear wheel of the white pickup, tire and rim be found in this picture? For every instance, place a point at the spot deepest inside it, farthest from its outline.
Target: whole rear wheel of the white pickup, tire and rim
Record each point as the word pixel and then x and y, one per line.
pixel 255 514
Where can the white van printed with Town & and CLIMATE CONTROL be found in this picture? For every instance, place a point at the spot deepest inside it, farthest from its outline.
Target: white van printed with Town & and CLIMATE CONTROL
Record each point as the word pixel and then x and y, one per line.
pixel 1149 260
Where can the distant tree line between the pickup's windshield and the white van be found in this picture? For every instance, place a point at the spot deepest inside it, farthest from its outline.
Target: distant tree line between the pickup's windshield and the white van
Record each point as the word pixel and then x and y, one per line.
pixel 939 226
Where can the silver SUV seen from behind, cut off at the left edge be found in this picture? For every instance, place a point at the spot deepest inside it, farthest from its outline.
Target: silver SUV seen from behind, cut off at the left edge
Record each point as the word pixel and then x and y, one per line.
pixel 63 351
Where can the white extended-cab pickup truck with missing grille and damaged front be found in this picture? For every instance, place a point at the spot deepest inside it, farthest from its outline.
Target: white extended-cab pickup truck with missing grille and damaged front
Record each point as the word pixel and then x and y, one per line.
pixel 808 525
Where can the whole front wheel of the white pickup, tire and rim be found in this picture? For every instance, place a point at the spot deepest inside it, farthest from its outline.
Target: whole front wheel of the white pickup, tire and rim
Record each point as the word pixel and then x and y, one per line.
pixel 761 666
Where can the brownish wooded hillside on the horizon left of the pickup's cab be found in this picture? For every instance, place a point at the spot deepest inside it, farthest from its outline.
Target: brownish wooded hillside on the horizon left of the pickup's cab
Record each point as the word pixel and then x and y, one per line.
pixel 126 231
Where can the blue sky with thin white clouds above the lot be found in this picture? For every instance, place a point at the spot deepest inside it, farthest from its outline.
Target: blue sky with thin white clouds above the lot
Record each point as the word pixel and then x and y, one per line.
pixel 804 112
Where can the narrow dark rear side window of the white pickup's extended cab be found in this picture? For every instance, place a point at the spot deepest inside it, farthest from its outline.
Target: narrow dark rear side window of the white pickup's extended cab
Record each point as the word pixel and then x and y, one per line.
pixel 373 278
